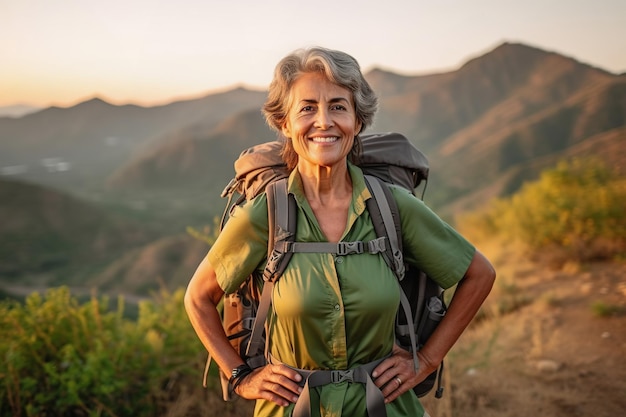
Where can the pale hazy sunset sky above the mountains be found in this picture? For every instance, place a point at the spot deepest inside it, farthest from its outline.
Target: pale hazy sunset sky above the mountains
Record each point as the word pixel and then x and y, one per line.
pixel 154 51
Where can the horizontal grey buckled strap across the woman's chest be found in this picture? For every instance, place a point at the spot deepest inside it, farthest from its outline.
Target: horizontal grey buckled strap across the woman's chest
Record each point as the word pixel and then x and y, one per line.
pixel 372 247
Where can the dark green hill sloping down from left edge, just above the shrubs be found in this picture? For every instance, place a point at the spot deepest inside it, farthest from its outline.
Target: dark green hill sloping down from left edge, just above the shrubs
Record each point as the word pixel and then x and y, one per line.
pixel 48 237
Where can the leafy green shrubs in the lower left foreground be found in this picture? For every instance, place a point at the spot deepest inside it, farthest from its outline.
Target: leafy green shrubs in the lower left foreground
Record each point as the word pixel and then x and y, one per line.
pixel 62 358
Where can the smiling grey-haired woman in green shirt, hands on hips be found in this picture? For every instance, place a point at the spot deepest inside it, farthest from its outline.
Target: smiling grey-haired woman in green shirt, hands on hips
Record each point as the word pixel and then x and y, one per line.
pixel 332 312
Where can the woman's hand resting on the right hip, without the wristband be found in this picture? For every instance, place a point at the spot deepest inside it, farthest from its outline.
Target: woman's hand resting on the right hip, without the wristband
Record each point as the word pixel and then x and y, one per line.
pixel 396 374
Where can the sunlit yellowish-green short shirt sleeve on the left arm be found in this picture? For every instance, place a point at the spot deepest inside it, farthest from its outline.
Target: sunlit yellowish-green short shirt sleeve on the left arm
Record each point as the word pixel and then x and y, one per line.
pixel 242 244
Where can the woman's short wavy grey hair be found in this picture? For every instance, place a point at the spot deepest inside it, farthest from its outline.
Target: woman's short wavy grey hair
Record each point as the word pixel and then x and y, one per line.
pixel 339 68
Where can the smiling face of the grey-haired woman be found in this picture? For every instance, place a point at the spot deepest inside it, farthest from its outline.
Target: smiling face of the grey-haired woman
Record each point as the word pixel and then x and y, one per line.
pixel 321 121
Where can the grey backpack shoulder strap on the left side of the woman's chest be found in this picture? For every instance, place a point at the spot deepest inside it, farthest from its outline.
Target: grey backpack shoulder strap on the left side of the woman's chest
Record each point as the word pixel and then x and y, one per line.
pixel 281 215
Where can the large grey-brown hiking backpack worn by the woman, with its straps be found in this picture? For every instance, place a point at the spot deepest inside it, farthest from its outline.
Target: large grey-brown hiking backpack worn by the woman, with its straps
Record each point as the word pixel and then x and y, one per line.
pixel 385 159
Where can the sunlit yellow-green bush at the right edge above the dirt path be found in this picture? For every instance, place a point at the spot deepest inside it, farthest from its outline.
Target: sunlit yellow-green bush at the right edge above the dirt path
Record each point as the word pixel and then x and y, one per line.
pixel 576 209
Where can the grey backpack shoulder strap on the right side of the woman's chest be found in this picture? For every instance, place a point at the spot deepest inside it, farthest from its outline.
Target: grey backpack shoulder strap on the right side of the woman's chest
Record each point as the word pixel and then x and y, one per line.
pixel 386 219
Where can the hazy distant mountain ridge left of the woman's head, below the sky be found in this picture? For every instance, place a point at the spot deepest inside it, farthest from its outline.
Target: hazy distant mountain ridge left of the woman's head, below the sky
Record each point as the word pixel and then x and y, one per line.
pixel 94 138
